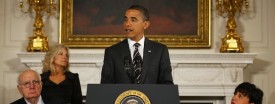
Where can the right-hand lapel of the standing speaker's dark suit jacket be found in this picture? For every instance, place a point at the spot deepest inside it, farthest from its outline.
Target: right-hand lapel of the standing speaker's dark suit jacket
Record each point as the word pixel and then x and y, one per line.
pixel 146 59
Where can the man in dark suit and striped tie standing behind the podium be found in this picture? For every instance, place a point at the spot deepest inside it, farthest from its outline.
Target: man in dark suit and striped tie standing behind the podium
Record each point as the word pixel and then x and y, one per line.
pixel 119 59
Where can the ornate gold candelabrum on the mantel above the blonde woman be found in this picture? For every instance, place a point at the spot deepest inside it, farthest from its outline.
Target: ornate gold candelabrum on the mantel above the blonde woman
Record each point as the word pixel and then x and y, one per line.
pixel 38 42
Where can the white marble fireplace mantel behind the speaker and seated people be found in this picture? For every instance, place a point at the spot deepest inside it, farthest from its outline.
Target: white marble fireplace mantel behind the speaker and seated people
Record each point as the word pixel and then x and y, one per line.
pixel 210 74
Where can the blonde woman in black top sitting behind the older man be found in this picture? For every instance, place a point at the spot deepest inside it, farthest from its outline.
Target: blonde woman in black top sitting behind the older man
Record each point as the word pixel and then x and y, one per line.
pixel 57 80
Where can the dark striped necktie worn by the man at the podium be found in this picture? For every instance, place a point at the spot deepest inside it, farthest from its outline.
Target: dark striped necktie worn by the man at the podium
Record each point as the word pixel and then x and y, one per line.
pixel 137 63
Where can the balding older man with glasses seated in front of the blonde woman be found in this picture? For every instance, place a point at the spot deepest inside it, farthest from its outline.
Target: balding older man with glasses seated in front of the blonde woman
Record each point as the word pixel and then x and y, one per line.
pixel 29 86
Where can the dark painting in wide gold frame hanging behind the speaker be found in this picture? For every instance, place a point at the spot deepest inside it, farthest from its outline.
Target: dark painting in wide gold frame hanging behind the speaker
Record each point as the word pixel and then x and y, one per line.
pixel 99 23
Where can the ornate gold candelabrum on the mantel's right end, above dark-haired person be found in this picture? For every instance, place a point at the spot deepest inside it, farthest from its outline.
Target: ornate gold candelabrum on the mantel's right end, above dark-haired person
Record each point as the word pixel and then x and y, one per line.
pixel 232 42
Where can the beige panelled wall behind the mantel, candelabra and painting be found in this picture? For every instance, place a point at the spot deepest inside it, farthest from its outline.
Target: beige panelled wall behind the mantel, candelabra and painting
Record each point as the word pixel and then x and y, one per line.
pixel 257 33
